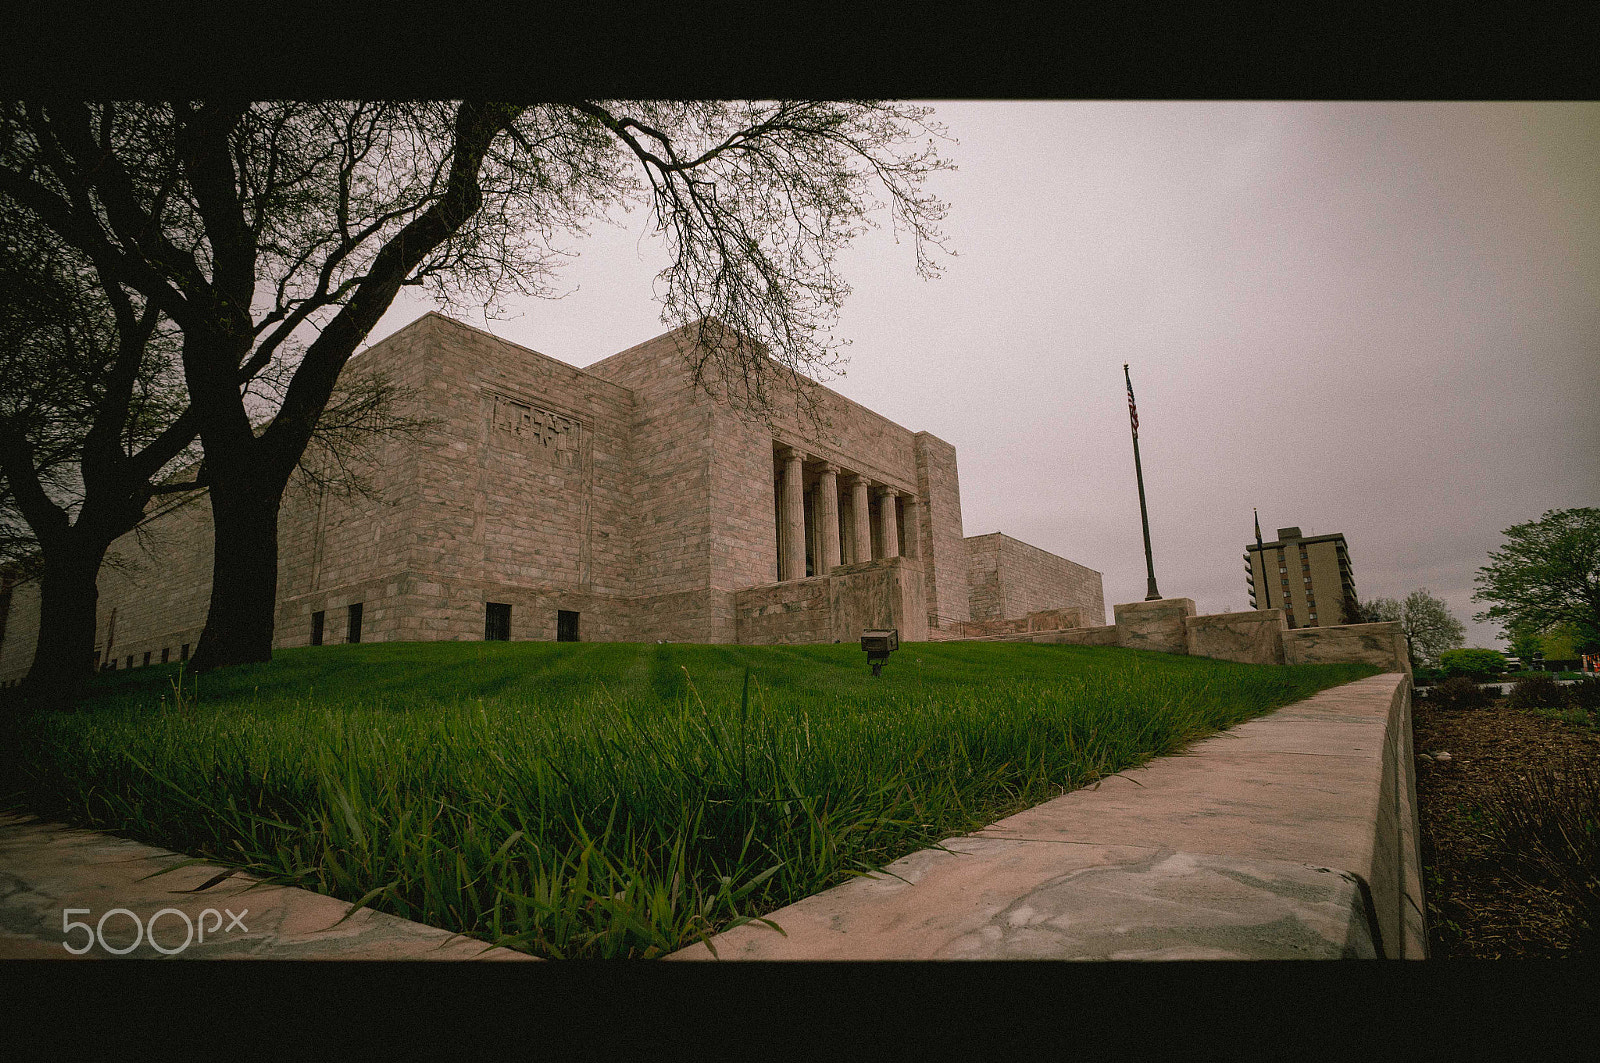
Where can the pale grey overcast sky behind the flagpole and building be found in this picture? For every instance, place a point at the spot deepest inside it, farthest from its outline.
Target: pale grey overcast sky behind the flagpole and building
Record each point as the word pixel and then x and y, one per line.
pixel 1375 319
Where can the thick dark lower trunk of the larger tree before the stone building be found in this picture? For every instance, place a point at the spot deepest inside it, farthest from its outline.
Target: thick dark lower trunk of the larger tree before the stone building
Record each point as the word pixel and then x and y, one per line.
pixel 244 576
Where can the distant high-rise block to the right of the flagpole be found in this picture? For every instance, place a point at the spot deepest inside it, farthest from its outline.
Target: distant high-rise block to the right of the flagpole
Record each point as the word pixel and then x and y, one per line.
pixel 1305 576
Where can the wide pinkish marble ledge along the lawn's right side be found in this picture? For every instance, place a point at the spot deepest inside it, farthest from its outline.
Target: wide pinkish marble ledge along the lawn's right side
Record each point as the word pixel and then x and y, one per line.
pixel 1292 836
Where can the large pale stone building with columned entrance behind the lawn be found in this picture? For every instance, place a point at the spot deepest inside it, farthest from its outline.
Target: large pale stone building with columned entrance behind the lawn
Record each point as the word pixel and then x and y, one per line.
pixel 606 503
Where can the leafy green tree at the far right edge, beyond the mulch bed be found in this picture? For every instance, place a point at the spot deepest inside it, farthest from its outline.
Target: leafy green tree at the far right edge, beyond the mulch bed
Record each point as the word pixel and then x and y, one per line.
pixel 1548 577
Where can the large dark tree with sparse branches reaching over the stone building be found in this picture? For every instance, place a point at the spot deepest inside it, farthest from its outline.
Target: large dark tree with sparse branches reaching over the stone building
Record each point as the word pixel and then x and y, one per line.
pixel 276 236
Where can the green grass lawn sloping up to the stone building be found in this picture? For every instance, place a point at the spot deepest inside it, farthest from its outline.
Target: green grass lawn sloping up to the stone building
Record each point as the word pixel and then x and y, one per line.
pixel 610 800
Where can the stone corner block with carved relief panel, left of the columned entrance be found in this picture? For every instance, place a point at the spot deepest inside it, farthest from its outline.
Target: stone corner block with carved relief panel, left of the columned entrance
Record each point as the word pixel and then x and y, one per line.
pixel 518 494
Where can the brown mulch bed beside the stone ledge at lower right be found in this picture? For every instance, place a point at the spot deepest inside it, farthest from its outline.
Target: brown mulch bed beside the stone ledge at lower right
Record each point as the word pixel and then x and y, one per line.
pixel 1476 909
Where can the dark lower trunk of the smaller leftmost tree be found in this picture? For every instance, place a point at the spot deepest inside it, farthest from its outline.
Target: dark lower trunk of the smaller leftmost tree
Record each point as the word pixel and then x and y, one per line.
pixel 68 598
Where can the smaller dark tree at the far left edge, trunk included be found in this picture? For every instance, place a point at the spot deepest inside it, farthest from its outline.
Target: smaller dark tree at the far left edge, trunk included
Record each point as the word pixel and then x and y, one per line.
pixel 92 414
